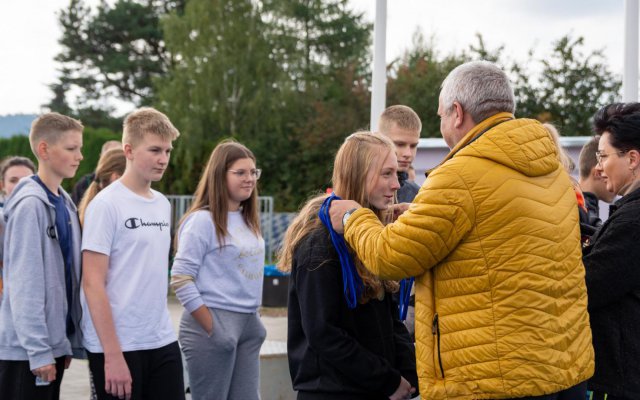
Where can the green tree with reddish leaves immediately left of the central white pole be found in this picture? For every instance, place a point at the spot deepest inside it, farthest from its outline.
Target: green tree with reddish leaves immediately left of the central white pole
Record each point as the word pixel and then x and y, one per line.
pixel 323 49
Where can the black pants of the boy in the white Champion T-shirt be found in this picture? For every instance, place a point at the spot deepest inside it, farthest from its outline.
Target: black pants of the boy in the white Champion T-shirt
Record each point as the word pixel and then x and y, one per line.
pixel 155 374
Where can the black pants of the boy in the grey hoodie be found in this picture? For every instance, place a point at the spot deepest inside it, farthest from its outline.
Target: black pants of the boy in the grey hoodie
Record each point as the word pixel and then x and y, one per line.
pixel 17 382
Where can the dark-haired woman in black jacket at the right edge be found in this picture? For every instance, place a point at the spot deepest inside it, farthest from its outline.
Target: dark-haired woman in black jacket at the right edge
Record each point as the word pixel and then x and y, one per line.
pixel 612 261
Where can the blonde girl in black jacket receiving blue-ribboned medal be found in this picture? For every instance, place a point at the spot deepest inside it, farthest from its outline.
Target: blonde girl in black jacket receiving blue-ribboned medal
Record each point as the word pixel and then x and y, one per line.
pixel 337 349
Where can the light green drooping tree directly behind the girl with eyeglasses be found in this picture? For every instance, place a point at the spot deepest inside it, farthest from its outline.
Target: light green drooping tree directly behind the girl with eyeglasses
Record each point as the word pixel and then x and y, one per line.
pixel 223 83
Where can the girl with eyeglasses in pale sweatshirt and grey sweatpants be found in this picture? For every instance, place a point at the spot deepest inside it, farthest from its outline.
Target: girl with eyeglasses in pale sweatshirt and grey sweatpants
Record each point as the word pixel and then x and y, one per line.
pixel 217 275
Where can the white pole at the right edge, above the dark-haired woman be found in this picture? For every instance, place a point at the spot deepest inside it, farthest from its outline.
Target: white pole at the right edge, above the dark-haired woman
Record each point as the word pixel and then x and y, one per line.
pixel 630 77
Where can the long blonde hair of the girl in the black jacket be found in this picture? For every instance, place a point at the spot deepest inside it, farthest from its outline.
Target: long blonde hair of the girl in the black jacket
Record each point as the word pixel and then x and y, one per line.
pixel 359 153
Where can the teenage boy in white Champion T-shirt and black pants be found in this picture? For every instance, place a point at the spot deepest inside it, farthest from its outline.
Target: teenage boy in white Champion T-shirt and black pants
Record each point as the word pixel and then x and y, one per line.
pixel 132 348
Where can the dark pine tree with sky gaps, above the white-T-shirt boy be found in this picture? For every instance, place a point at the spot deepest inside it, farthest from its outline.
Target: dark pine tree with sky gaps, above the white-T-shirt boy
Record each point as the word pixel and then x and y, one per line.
pixel 112 51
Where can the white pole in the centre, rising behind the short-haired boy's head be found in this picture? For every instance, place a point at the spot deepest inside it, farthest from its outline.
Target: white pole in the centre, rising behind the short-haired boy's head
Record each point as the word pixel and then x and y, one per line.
pixel 379 79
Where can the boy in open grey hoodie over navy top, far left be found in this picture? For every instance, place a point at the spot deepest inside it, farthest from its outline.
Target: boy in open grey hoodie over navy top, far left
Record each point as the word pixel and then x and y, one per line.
pixel 40 311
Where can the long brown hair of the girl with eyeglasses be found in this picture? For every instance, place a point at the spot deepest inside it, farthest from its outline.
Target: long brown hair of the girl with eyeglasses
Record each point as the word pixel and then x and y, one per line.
pixel 212 193
